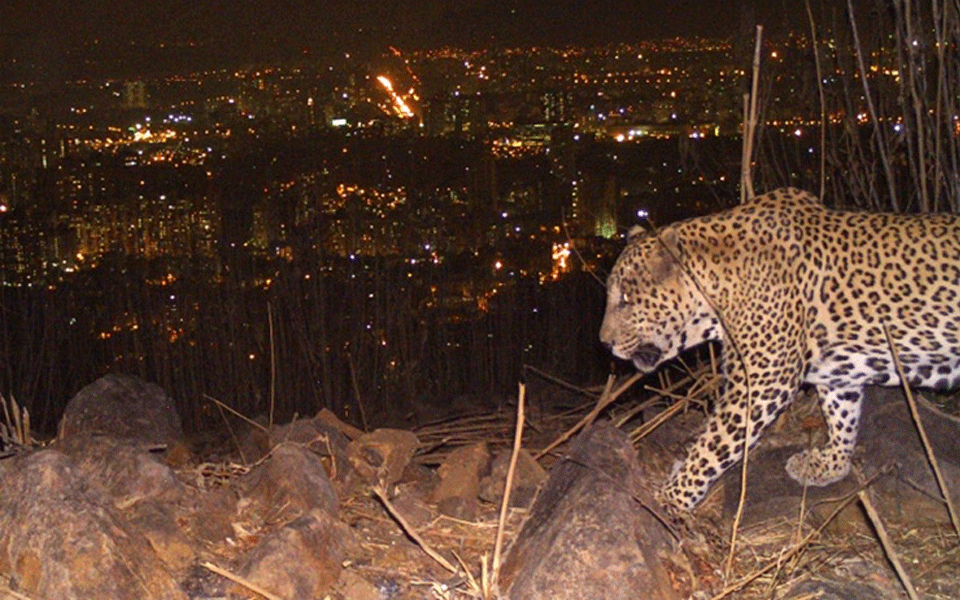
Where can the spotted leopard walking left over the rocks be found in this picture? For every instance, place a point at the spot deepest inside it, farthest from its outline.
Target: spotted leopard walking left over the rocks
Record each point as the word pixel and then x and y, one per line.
pixel 798 296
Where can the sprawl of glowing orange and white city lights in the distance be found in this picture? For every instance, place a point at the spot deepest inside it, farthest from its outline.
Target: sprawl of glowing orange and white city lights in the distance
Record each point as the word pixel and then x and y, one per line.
pixel 512 136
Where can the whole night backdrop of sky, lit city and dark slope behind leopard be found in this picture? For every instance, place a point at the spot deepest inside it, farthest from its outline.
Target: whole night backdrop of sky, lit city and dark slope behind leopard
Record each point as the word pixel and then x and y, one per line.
pixel 424 214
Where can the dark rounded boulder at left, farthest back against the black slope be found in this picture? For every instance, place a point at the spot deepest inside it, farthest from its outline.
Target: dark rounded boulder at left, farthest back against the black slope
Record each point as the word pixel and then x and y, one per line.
pixel 123 406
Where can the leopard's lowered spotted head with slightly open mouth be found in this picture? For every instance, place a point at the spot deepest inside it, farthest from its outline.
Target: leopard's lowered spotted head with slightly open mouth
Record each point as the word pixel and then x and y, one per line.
pixel 651 302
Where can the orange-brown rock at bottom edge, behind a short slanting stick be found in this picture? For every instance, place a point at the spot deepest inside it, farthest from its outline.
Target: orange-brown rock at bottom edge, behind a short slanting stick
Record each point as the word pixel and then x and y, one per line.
pixel 301 560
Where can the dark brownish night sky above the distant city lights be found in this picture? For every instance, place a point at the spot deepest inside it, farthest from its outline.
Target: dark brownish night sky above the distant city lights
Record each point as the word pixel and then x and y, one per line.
pixel 57 36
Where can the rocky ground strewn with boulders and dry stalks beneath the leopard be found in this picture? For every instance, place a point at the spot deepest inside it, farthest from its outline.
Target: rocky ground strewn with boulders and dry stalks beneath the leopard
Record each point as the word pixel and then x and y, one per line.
pixel 122 505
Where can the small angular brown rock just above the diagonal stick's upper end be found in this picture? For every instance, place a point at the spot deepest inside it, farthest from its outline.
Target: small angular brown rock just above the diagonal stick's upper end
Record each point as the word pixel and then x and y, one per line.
pixel 381 456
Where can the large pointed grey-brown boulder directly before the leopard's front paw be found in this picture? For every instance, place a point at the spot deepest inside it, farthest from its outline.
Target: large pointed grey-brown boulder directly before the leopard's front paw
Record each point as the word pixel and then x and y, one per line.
pixel 587 536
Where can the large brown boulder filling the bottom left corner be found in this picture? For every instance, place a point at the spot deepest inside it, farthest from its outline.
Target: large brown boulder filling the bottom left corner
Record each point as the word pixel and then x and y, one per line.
pixel 62 538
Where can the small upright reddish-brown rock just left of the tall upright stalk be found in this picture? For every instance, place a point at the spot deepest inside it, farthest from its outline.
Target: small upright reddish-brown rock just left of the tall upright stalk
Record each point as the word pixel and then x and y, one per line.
pixel 459 489
